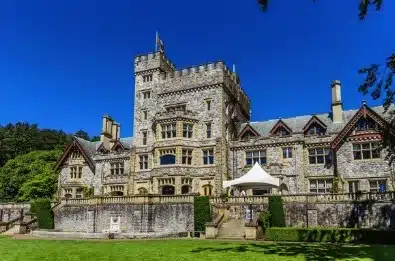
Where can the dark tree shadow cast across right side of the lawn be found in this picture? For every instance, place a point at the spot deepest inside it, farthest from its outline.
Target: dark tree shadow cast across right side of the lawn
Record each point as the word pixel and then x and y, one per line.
pixel 311 252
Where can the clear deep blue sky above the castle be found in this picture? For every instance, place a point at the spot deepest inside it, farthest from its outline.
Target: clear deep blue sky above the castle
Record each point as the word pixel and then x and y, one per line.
pixel 63 64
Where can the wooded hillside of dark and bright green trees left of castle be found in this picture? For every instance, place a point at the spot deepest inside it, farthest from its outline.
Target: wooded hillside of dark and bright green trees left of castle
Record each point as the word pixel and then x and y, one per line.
pixel 27 158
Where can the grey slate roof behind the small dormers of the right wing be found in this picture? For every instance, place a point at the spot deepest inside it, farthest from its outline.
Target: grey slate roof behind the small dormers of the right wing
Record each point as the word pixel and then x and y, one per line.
pixel 299 122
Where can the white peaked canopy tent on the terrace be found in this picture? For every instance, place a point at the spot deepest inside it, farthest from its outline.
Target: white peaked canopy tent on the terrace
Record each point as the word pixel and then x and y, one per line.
pixel 255 177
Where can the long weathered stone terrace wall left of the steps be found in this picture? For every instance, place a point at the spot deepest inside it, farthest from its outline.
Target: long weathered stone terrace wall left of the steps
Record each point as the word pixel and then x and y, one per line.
pixel 133 218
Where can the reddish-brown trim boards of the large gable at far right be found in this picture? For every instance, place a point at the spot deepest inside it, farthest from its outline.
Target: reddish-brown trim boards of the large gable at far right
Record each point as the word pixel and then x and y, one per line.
pixel 363 112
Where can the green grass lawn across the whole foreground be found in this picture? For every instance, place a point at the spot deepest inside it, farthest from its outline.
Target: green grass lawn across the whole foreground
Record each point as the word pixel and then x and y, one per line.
pixel 175 250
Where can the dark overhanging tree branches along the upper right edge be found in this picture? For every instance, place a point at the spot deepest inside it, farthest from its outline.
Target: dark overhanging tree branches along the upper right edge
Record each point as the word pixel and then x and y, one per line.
pixel 378 81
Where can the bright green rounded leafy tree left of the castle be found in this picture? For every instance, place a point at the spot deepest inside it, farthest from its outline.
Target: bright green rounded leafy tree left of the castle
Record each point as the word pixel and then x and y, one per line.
pixel 29 176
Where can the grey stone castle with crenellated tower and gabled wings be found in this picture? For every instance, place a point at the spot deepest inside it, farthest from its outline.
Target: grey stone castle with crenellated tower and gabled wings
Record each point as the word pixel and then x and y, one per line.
pixel 192 130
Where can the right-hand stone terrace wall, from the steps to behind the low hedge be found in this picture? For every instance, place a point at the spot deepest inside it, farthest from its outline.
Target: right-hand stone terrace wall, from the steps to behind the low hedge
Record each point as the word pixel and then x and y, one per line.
pixel 347 214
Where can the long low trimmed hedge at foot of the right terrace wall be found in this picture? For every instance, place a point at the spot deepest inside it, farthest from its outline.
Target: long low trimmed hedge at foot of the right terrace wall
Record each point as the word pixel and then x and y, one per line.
pixel 333 235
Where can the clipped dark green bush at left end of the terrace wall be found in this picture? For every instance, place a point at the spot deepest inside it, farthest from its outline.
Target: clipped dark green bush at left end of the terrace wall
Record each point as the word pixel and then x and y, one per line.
pixel 42 209
